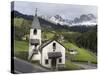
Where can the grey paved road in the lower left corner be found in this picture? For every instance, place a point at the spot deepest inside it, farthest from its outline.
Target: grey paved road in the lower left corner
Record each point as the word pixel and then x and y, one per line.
pixel 22 66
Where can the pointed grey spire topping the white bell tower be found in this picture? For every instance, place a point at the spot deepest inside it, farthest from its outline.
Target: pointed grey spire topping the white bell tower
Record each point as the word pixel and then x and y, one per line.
pixel 36 23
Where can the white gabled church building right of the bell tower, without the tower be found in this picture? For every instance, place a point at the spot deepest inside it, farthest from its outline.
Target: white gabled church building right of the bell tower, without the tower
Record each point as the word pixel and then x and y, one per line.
pixel 52 54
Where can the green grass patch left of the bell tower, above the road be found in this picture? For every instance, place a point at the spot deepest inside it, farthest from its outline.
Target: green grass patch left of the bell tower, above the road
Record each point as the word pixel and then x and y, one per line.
pixel 21 49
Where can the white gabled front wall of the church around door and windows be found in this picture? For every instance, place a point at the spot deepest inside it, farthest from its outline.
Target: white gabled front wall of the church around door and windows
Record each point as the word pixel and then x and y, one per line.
pixel 49 48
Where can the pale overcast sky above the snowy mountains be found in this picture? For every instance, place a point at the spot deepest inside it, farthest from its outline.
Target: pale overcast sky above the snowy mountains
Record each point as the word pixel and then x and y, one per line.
pixel 67 11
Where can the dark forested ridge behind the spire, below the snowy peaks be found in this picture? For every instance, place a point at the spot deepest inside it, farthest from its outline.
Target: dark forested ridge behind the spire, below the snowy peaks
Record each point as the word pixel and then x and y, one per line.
pixel 45 24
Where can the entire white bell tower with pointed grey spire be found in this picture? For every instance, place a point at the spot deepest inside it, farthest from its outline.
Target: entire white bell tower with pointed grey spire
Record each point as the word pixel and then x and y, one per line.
pixel 35 39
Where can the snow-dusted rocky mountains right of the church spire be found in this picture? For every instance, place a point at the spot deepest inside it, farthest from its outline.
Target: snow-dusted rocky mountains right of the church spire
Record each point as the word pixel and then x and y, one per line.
pixel 85 19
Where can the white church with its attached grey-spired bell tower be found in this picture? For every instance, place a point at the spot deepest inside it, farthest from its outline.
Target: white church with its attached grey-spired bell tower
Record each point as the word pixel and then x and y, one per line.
pixel 49 54
